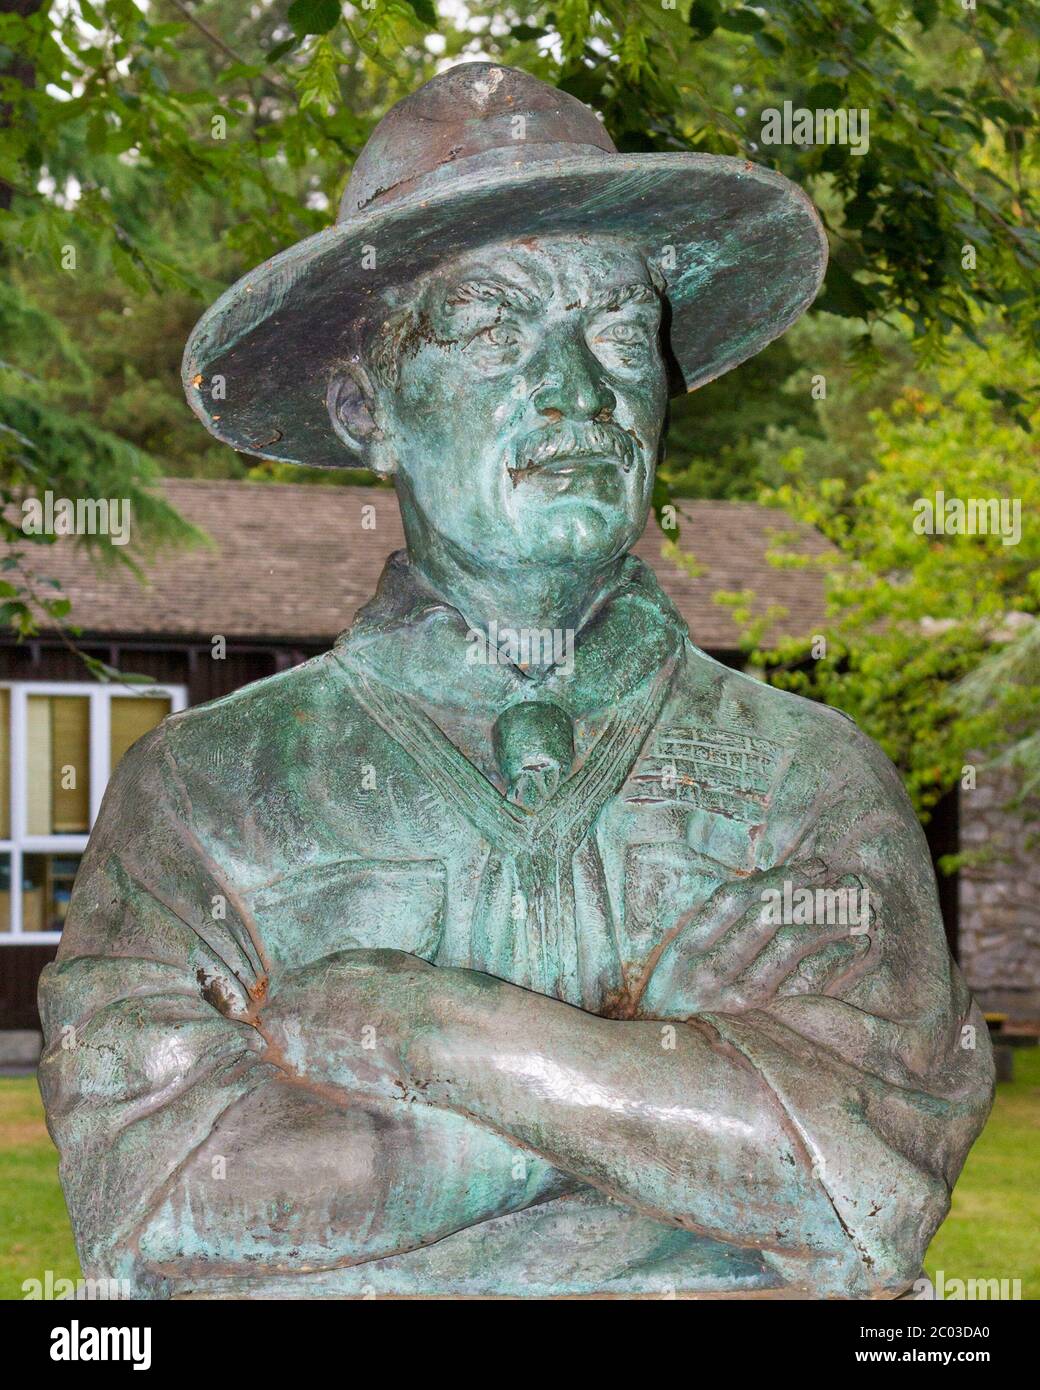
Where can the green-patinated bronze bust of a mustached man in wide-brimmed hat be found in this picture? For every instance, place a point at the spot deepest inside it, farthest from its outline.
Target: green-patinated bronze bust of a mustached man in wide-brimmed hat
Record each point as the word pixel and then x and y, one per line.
pixel 461 961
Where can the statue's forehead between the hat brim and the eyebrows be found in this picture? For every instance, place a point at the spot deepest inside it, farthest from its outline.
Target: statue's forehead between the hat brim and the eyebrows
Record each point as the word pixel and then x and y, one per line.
pixel 549 268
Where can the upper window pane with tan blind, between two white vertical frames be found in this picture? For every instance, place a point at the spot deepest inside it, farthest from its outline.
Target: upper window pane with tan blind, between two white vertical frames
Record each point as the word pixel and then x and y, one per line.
pixel 59 782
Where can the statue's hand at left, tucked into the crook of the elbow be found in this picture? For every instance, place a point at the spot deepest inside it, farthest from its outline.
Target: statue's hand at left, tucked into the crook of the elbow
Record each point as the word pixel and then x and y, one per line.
pixel 347 1020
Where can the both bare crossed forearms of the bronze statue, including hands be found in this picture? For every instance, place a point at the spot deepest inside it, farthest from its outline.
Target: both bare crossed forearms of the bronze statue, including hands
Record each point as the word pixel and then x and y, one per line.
pixel 408 1102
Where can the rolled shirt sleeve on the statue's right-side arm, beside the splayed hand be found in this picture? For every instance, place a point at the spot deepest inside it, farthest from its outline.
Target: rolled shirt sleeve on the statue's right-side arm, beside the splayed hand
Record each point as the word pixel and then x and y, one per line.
pixel 886 1075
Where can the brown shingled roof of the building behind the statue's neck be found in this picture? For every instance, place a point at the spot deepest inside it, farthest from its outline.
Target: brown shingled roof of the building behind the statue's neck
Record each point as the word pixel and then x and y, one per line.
pixel 294 562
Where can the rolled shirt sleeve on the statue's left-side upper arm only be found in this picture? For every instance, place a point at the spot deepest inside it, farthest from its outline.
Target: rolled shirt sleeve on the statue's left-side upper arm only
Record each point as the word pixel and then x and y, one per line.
pixel 147 1010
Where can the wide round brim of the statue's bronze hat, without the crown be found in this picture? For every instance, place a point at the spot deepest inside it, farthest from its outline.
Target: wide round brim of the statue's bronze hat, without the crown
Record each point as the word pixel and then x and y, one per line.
pixel 747 251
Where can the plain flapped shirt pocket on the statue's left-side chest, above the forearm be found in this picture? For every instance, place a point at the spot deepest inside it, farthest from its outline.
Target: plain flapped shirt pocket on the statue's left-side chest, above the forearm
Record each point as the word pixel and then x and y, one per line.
pixel 355 904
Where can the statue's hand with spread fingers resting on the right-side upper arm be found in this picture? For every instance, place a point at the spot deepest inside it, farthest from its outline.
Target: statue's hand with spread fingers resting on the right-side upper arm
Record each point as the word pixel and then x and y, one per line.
pixel 736 953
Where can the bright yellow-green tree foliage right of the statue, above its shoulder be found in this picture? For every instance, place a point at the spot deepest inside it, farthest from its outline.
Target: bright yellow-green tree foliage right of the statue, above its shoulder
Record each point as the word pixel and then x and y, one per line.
pixel 931 641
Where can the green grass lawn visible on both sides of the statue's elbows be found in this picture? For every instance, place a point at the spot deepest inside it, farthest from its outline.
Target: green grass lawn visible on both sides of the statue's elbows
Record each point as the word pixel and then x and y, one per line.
pixel 993 1231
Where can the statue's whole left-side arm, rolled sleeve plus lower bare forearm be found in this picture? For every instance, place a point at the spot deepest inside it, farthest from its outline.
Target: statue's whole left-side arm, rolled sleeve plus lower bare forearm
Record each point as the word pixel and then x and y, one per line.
pixel 184 1154
